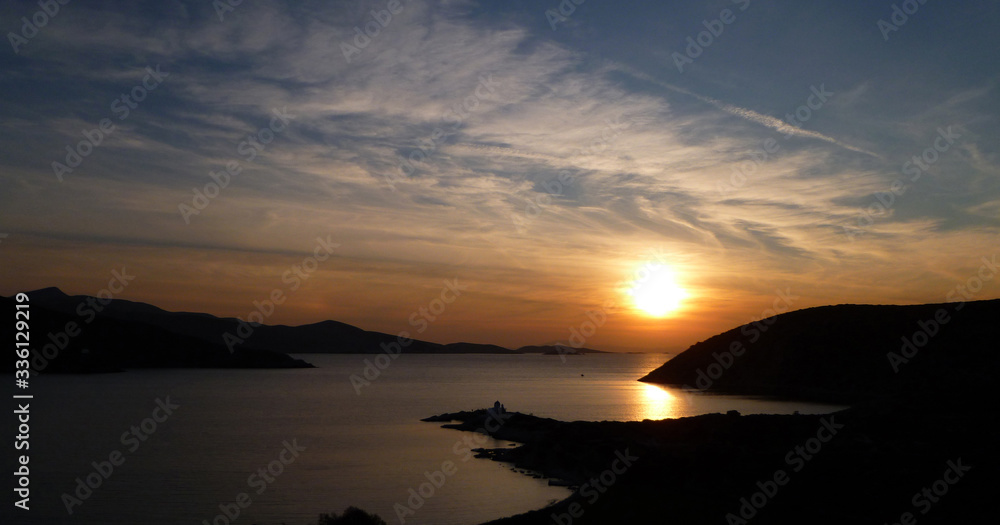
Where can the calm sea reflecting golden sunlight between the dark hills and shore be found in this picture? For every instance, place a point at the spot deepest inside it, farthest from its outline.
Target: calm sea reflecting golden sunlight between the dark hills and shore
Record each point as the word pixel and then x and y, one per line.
pixel 263 447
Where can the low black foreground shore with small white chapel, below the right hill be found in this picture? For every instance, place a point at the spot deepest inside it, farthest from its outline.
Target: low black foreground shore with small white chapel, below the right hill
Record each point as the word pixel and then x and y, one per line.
pixel 866 460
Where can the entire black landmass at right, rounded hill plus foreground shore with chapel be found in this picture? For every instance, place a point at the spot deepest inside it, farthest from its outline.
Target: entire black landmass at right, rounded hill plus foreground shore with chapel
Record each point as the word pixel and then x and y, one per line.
pixel 918 445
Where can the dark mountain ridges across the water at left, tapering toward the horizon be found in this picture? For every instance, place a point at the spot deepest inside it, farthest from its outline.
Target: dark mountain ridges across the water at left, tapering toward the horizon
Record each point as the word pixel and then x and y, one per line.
pixel 114 334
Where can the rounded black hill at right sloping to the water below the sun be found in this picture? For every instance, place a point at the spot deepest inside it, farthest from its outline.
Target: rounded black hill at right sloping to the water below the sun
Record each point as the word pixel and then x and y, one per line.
pixel 842 353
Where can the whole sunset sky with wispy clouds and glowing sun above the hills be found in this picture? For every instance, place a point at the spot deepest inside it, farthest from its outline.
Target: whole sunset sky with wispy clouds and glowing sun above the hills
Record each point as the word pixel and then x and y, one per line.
pixel 545 161
